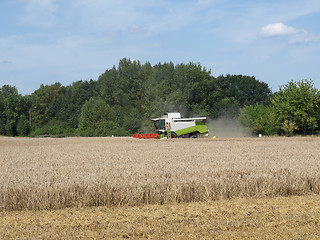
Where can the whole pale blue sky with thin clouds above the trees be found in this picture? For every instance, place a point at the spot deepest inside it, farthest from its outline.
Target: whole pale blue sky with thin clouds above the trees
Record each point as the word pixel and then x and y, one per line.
pixel 48 41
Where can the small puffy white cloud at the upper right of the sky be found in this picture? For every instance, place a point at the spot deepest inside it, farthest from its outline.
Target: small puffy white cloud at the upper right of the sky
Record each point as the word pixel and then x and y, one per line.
pixel 294 35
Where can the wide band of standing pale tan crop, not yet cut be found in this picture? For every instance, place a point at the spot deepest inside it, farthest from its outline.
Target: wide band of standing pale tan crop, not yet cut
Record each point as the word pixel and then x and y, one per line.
pixel 77 172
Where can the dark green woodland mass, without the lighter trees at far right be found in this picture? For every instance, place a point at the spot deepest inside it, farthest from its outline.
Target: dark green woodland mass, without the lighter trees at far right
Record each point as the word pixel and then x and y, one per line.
pixel 124 99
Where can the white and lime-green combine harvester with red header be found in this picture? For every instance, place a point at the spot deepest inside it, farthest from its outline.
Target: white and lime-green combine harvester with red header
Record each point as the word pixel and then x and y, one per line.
pixel 171 125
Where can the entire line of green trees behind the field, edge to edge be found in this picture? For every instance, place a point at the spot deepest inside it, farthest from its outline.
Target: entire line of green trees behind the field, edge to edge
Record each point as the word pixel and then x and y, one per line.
pixel 124 99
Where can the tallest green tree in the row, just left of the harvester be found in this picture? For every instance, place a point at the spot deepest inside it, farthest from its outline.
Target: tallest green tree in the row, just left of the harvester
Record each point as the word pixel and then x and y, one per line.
pixel 124 89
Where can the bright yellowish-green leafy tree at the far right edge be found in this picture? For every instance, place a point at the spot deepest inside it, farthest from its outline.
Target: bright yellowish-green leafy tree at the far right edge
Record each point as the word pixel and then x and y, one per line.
pixel 298 103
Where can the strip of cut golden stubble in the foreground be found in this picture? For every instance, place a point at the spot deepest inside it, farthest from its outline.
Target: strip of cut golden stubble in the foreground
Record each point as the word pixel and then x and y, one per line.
pixel 272 218
